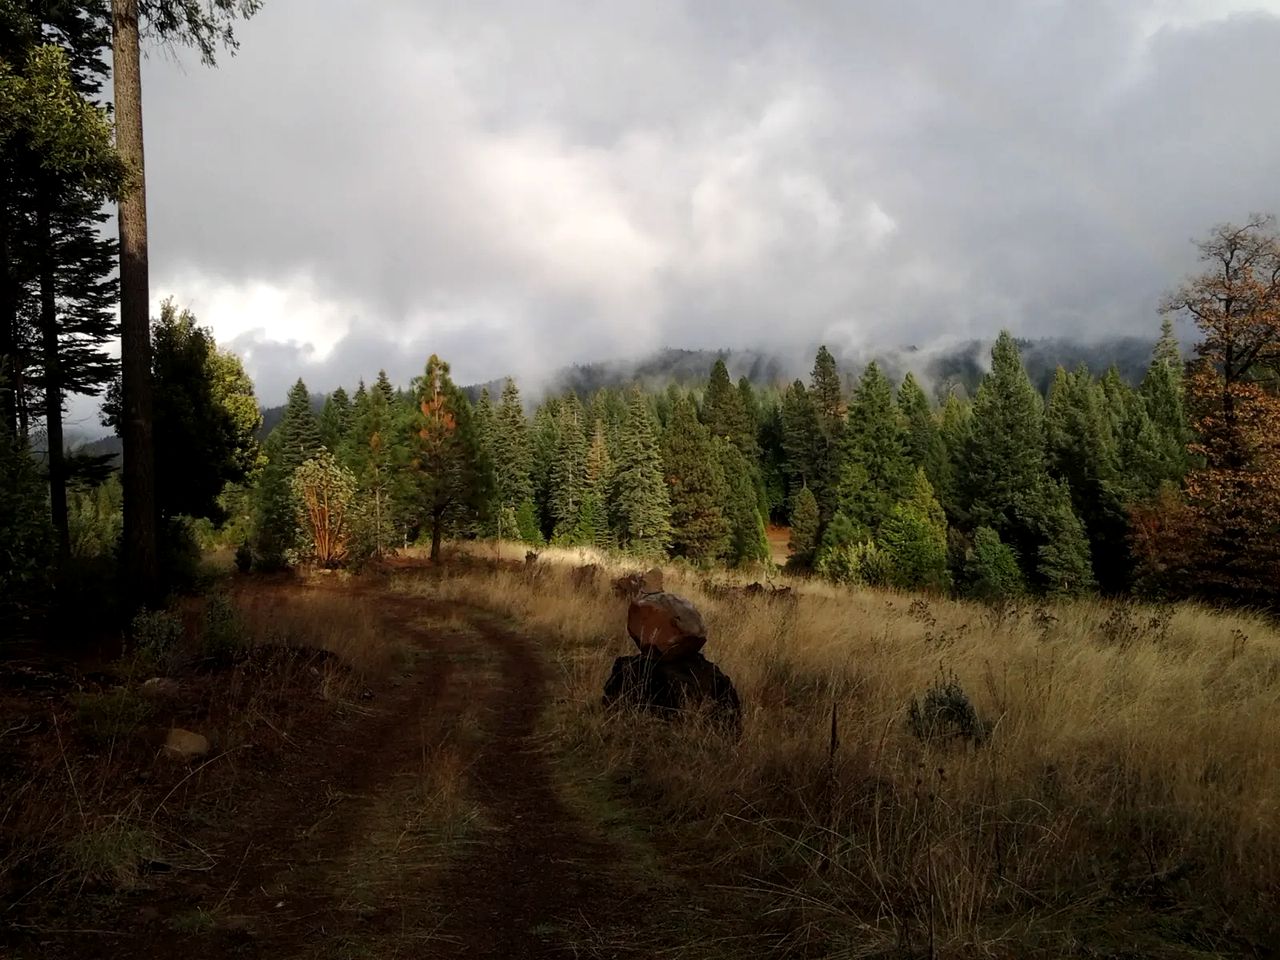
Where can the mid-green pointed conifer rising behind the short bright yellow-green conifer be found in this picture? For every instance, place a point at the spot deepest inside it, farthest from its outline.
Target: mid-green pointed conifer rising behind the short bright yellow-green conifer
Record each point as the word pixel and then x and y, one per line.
pixel 876 472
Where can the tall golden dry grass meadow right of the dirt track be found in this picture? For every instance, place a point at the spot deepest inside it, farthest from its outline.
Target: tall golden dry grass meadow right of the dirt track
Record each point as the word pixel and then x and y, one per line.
pixel 1127 794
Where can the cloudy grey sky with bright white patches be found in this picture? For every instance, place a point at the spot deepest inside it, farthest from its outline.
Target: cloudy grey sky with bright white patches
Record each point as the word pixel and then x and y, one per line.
pixel 520 185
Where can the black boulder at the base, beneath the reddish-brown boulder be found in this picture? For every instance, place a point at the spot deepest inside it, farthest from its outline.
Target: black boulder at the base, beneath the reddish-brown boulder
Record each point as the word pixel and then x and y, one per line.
pixel 669 688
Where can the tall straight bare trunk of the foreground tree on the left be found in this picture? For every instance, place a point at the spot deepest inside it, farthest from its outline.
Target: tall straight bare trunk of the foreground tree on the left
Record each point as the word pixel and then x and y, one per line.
pixel 141 565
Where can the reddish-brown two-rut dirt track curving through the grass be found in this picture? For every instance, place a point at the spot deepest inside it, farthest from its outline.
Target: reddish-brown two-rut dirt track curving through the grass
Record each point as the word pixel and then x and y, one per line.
pixel 344 857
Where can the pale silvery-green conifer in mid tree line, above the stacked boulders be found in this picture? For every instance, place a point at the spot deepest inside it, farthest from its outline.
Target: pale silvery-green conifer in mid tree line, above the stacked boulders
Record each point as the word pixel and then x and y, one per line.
pixel 641 499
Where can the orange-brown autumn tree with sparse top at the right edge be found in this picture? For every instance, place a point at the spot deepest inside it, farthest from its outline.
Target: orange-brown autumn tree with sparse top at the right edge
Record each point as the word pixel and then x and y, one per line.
pixel 1232 396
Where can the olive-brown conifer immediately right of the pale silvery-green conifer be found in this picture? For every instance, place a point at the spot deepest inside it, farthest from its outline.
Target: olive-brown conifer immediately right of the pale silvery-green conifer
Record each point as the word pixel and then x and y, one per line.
pixel 696 481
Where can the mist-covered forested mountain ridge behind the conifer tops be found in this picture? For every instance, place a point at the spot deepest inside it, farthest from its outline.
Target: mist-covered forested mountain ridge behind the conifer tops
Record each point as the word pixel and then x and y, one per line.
pixel 958 365
